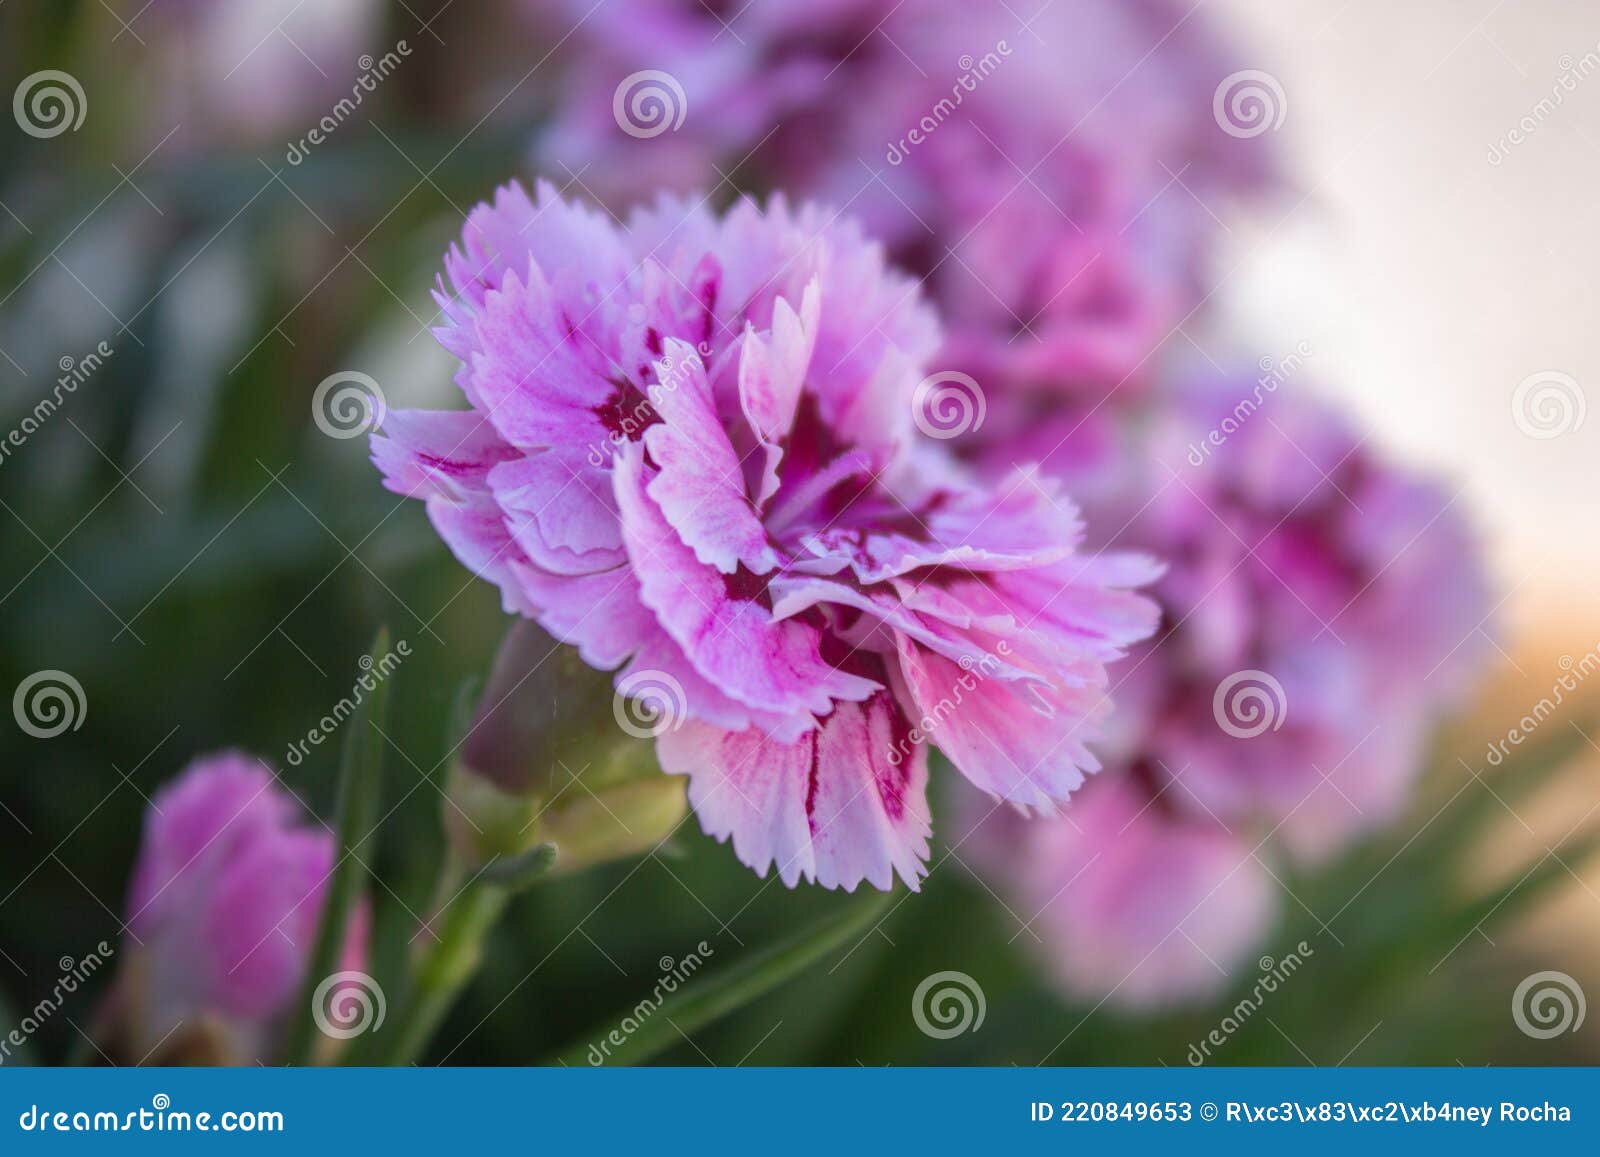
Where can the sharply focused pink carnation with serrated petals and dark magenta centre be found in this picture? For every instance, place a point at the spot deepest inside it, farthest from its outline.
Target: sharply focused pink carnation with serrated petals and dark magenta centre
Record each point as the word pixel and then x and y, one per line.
pixel 692 455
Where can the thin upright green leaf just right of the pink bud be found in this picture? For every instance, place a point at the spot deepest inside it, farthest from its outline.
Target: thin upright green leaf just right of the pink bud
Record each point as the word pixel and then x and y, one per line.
pixel 356 815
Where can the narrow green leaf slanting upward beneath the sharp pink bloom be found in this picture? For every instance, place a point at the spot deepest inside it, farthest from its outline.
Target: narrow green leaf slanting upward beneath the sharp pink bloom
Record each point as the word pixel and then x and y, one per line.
pixel 732 988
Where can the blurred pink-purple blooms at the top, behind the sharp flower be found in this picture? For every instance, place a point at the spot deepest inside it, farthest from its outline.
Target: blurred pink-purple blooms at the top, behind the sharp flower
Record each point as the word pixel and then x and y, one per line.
pixel 1054 174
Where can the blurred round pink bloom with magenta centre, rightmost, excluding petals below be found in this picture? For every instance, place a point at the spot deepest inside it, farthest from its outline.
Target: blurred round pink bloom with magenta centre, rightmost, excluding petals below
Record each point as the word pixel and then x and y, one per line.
pixel 1324 609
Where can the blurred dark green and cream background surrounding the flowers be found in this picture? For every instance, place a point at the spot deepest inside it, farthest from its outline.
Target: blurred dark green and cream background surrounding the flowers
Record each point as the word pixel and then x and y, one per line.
pixel 209 566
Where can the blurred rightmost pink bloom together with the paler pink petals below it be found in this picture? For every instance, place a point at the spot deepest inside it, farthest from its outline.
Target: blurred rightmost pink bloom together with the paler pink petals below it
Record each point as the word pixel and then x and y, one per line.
pixel 1322 611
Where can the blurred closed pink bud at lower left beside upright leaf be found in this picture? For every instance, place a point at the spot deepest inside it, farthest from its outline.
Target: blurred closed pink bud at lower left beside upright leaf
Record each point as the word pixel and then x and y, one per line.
pixel 222 915
